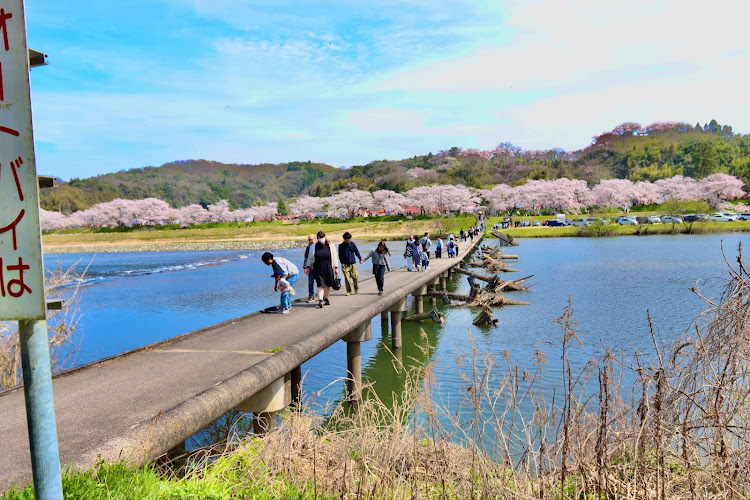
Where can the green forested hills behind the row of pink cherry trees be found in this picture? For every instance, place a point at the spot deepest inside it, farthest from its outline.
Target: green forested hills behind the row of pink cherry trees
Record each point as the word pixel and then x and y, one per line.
pixel 629 151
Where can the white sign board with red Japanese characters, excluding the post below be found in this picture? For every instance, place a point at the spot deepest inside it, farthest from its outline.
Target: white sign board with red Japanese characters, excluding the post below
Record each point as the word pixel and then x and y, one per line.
pixel 21 278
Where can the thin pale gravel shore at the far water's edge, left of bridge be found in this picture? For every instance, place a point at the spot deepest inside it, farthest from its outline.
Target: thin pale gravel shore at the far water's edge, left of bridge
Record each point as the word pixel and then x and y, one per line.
pixel 175 247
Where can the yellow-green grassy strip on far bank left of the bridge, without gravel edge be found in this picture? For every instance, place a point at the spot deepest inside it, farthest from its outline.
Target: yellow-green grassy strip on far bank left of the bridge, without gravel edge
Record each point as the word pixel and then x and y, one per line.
pixel 370 228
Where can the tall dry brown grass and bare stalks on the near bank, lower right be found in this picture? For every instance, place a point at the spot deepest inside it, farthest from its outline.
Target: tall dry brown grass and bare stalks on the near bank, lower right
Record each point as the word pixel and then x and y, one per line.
pixel 672 426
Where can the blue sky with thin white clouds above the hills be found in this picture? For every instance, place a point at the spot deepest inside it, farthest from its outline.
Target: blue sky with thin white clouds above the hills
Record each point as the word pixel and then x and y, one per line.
pixel 139 83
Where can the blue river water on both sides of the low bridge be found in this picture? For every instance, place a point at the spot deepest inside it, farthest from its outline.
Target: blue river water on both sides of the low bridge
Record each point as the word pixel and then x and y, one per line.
pixel 133 299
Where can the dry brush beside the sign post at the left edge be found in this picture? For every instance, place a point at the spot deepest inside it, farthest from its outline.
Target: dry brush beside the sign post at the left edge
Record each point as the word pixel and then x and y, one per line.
pixel 60 323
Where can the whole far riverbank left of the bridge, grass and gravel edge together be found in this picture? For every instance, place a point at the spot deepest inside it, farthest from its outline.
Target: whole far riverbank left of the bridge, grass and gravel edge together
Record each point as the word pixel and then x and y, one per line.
pixel 240 236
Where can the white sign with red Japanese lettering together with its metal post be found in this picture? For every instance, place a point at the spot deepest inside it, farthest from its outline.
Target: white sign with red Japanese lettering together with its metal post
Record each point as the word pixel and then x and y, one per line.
pixel 21 269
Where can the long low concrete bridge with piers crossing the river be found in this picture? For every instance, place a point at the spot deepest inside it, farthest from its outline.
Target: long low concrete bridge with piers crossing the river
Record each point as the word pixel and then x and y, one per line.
pixel 140 404
